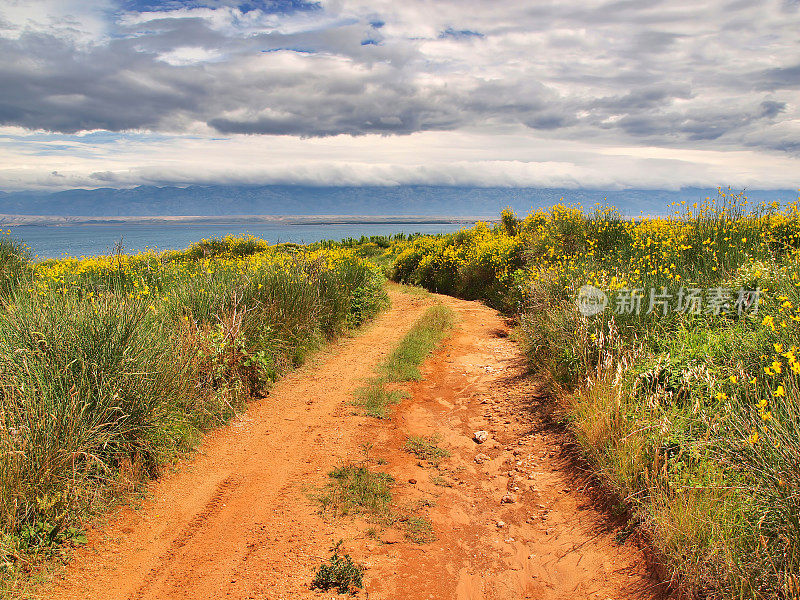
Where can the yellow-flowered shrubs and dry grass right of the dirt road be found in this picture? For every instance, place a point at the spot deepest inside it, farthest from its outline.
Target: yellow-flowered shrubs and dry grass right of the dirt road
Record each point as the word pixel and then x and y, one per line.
pixel 683 390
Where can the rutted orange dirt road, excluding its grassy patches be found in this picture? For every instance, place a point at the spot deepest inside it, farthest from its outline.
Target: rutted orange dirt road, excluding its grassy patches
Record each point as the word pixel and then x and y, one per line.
pixel 237 521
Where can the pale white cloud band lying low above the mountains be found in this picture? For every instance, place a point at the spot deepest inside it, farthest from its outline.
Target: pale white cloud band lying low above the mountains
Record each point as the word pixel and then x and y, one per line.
pixel 441 158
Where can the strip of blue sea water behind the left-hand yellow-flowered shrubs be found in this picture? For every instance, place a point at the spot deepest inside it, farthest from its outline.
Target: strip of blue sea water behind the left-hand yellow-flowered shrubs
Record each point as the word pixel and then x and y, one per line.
pixel 92 240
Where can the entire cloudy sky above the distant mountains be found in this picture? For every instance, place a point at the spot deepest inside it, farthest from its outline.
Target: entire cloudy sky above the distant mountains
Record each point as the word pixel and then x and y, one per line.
pixel 631 93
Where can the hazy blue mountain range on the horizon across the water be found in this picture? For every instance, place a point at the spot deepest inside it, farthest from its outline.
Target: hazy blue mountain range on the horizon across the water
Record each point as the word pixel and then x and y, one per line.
pixel 366 200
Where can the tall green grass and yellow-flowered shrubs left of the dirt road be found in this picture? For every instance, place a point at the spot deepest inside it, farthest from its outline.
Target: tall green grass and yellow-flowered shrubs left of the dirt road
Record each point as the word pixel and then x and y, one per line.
pixel 111 367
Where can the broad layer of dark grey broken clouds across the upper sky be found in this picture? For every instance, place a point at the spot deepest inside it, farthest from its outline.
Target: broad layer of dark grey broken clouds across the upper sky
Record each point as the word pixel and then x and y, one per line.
pixel 655 72
